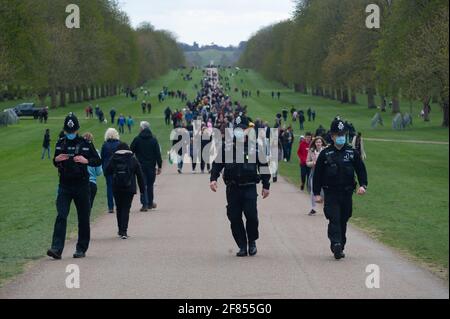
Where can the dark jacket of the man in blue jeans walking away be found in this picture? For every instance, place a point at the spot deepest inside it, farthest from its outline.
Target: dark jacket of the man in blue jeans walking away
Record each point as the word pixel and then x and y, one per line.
pixel 147 150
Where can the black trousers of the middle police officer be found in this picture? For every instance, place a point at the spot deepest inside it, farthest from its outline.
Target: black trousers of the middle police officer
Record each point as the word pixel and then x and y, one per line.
pixel 243 200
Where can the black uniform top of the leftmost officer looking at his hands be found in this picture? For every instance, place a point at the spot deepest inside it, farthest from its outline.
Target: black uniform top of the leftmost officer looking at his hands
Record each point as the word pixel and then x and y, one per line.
pixel 71 173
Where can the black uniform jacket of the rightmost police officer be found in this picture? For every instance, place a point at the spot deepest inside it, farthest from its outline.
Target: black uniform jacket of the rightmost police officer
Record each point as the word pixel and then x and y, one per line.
pixel 335 170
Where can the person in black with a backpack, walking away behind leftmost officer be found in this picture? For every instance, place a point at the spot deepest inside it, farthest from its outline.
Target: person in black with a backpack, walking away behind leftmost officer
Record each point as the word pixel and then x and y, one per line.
pixel 124 168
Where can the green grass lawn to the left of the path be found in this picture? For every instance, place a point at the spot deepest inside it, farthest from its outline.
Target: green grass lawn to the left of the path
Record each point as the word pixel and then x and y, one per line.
pixel 28 185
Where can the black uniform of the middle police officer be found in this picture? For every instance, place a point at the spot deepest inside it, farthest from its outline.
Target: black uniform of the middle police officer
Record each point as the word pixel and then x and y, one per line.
pixel 241 180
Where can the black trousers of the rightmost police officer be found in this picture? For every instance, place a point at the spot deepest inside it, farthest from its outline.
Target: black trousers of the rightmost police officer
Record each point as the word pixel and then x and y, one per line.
pixel 338 210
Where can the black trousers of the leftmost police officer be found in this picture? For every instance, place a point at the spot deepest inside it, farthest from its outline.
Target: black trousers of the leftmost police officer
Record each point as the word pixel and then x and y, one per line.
pixel 79 194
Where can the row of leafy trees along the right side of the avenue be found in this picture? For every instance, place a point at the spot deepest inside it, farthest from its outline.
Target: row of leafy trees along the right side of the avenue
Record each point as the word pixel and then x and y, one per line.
pixel 328 50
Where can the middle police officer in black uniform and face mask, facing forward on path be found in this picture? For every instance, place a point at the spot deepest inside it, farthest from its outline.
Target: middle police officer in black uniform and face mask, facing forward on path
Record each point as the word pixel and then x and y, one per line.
pixel 241 178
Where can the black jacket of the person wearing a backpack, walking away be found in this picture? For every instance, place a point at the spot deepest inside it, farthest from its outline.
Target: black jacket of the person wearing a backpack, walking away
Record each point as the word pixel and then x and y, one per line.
pixel 135 168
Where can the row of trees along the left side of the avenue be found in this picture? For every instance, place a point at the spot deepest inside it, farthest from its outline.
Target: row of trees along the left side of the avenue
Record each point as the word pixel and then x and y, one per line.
pixel 40 56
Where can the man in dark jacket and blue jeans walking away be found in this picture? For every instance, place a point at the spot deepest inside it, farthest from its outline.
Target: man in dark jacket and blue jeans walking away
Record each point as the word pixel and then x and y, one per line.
pixel 148 152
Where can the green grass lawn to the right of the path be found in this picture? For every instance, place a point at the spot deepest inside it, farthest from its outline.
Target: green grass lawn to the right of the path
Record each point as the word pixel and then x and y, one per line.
pixel 407 203
